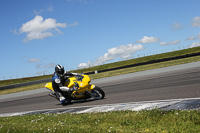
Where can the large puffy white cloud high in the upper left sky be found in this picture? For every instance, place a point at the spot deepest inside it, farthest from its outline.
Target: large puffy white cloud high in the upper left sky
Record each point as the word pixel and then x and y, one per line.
pixel 38 28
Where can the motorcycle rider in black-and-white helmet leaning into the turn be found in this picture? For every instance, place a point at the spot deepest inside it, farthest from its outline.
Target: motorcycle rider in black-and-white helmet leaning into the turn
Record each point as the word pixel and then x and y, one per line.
pixel 58 80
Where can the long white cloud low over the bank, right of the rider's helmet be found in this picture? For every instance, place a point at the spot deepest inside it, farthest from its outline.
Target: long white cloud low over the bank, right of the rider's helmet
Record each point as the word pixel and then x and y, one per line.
pixel 122 51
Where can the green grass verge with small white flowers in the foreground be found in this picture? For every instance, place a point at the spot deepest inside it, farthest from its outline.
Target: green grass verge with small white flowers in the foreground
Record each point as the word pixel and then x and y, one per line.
pixel 154 121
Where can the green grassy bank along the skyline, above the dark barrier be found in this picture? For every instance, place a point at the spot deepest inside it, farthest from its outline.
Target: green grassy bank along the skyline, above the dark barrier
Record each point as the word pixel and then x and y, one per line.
pixel 110 65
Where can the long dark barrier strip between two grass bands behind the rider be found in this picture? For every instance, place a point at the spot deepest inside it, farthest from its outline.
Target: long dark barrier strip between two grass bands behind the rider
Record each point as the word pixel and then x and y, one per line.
pixel 105 70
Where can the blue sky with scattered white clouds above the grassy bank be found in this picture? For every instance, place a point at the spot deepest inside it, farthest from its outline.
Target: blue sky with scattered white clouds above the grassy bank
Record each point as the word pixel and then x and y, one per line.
pixel 38 34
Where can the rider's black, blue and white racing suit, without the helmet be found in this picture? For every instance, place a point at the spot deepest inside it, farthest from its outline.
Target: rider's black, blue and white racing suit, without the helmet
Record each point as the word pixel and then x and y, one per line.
pixel 58 82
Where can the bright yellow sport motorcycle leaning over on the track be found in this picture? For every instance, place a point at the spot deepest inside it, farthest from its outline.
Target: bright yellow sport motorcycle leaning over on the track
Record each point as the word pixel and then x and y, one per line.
pixel 84 90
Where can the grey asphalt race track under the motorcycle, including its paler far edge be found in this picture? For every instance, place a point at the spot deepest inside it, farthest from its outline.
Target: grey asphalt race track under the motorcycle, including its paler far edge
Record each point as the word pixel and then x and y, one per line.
pixel 182 81
